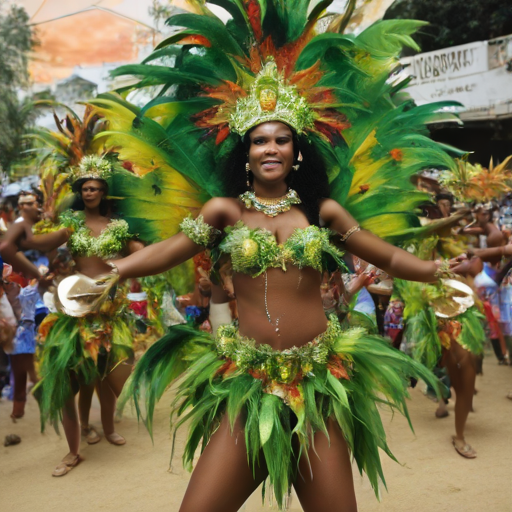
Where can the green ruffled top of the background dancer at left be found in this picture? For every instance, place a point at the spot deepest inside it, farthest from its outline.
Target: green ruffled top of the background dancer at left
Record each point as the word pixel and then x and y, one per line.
pixel 82 243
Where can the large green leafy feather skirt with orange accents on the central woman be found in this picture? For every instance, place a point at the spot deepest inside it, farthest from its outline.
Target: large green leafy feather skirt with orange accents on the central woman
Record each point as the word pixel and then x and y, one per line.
pixel 278 394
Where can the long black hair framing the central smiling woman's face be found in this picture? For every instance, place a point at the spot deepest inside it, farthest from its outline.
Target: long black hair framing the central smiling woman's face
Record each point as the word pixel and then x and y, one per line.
pixel 310 181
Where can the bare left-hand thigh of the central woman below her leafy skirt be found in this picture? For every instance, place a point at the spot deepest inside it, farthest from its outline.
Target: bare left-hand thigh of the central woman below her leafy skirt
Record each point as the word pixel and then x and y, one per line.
pixel 222 479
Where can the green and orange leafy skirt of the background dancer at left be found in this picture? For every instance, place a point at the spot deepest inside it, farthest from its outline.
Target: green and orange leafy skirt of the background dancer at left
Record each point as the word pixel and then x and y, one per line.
pixel 87 348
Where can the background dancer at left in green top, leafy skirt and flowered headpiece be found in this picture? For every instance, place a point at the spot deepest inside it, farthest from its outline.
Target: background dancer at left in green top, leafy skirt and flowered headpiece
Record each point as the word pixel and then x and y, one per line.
pixel 77 351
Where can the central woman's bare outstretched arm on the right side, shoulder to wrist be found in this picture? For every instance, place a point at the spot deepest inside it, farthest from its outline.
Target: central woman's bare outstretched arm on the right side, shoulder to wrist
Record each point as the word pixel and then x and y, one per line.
pixel 394 261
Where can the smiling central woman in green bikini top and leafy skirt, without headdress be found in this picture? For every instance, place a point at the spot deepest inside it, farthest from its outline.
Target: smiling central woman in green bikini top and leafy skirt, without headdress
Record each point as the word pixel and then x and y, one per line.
pixel 275 323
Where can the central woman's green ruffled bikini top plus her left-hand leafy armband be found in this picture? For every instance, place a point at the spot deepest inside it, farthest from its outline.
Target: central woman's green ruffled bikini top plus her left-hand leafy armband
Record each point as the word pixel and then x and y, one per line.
pixel 254 250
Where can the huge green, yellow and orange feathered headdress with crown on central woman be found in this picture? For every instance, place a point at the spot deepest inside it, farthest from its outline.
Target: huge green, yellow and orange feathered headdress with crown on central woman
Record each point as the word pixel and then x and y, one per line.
pixel 214 81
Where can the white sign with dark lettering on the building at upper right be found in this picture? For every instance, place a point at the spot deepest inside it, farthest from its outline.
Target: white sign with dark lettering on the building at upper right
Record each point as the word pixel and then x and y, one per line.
pixel 478 75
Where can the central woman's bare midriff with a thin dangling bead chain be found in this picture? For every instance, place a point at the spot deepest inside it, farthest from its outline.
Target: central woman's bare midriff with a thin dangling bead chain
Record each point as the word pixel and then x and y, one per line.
pixel 293 297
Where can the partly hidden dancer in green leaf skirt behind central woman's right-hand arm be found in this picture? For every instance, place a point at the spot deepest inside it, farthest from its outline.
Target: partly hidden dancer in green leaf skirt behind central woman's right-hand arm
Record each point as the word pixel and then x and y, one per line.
pixel 443 333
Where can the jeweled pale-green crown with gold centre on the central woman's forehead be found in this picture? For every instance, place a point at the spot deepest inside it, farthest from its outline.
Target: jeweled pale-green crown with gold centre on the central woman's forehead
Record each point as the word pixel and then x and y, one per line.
pixel 271 99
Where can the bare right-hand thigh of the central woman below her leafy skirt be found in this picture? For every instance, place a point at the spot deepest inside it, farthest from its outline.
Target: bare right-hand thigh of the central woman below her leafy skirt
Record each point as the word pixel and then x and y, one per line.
pixel 325 483
